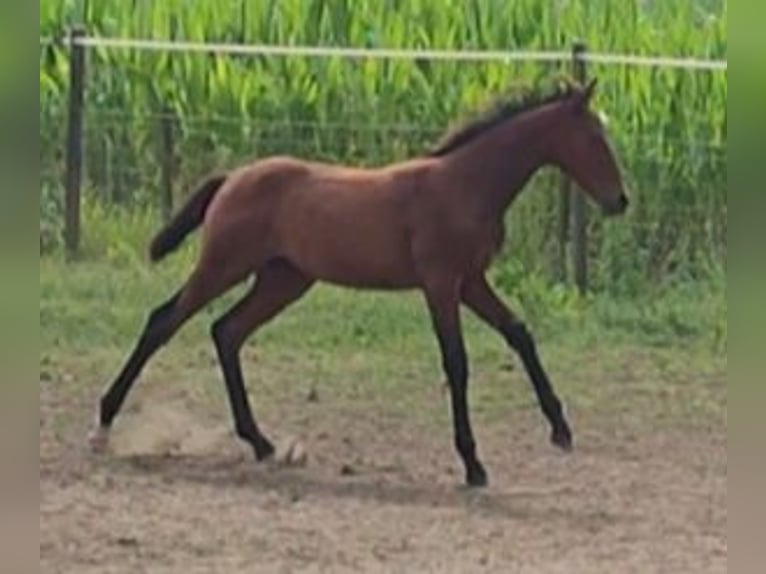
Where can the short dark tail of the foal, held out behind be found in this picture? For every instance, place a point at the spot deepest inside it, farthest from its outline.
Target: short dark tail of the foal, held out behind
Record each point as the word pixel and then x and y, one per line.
pixel 186 220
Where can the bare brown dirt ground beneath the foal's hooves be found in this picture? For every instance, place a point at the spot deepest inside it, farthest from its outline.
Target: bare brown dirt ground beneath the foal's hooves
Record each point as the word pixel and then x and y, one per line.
pixel 176 493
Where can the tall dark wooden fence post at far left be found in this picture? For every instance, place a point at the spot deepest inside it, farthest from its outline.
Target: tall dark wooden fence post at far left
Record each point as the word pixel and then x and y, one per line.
pixel 74 146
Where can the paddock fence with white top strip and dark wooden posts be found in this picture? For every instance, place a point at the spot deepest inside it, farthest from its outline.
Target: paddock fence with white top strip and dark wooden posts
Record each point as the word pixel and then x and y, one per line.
pixel 572 220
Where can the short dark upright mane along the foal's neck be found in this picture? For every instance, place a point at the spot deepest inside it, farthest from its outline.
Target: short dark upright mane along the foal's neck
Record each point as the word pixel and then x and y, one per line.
pixel 502 109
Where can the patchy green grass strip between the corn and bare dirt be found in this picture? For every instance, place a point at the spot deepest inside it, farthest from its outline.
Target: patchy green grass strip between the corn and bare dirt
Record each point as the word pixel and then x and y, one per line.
pixel 376 350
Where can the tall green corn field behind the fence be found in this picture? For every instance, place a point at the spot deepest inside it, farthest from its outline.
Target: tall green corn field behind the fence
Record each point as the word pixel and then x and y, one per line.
pixel 669 126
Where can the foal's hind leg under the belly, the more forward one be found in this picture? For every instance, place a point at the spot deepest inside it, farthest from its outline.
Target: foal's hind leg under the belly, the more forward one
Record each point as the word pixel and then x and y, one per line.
pixel 277 285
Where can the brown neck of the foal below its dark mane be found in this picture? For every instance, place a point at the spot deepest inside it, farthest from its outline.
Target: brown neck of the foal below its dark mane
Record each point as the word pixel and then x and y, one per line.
pixel 496 166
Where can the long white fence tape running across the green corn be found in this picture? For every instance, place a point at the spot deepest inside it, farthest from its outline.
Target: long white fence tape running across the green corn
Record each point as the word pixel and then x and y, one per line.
pixel 397 54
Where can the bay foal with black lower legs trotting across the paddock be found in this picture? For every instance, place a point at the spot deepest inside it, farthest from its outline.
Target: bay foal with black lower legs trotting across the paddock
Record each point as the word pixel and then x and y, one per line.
pixel 432 223
